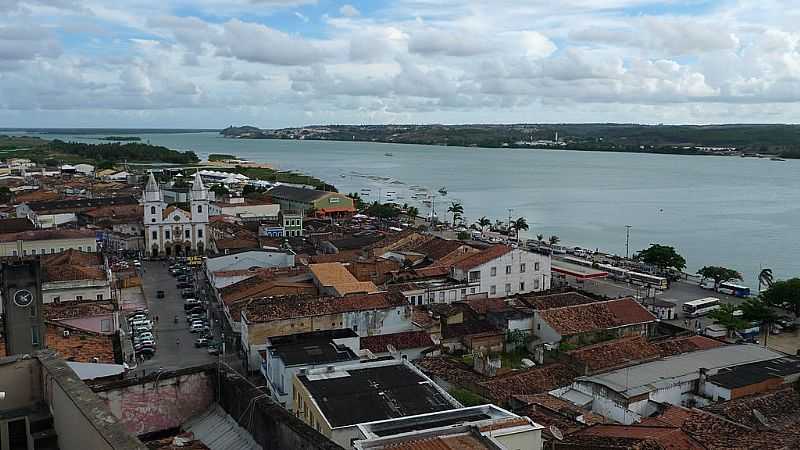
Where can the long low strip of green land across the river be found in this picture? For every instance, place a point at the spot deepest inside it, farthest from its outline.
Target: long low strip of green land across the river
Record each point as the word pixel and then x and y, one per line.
pixel 777 141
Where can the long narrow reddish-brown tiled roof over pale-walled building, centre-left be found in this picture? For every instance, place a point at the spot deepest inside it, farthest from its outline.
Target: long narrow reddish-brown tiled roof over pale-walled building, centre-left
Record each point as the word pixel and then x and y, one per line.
pixel 266 310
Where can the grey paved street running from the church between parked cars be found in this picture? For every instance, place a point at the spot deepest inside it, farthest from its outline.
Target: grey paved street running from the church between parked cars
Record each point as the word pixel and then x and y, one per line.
pixel 169 354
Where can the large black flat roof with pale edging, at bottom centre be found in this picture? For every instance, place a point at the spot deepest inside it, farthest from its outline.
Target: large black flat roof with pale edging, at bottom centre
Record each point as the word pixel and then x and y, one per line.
pixel 353 395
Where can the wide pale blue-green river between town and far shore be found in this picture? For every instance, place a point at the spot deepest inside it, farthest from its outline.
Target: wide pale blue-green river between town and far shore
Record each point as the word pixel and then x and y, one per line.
pixel 741 213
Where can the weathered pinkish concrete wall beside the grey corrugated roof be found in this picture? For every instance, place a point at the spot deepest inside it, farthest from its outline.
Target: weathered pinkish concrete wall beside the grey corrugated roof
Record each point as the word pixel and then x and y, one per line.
pixel 160 403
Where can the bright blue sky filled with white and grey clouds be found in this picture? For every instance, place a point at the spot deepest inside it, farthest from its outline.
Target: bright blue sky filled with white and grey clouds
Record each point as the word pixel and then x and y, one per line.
pixel 282 63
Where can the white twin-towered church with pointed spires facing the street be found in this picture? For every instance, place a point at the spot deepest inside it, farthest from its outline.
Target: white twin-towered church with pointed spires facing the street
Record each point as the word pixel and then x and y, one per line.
pixel 172 231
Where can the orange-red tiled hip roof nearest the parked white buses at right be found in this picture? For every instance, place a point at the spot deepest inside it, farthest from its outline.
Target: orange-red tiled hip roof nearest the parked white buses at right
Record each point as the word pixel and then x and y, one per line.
pixel 578 319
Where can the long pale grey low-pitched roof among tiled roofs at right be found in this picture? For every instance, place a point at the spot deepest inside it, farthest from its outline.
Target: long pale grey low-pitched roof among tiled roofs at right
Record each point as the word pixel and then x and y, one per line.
pixel 647 377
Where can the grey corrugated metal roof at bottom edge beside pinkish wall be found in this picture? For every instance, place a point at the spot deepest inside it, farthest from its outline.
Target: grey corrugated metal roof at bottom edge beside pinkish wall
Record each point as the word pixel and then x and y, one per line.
pixel 219 431
